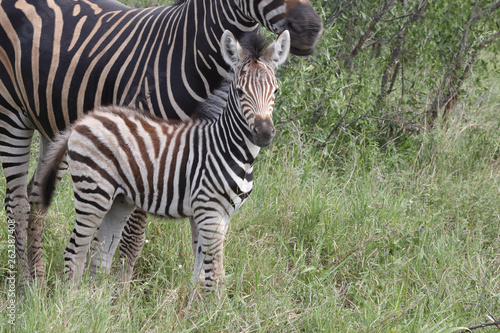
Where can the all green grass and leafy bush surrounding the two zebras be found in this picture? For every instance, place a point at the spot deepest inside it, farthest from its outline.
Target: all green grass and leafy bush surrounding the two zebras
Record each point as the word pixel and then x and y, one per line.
pixel 376 209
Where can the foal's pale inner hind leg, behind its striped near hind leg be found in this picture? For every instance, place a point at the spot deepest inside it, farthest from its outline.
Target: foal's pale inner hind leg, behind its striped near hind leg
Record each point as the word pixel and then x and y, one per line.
pixel 108 235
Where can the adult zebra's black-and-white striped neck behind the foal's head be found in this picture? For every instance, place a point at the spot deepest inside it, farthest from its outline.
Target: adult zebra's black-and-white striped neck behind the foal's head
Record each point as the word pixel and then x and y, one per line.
pixel 202 69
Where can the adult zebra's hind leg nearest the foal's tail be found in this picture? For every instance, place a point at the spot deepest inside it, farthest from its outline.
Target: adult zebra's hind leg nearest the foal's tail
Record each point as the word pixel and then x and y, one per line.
pixel 37 218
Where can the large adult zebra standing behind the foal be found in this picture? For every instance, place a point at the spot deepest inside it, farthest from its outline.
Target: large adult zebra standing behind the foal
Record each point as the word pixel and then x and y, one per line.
pixel 60 58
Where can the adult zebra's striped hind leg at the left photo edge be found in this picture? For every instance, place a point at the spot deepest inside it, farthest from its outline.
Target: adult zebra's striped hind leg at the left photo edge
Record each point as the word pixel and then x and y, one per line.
pixel 15 142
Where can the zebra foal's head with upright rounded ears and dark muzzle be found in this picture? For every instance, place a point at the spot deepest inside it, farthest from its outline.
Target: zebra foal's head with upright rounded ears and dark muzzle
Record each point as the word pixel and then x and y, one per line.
pixel 254 87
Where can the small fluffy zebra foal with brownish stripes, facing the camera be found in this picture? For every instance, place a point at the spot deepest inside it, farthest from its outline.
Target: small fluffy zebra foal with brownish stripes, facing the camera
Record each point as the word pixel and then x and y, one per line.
pixel 120 159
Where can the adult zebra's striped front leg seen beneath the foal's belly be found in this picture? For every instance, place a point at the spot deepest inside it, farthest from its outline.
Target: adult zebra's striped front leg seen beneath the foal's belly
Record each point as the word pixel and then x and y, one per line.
pixel 131 244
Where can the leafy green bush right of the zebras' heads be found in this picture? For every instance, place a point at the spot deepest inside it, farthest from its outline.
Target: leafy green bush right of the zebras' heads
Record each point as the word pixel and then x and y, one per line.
pixel 388 69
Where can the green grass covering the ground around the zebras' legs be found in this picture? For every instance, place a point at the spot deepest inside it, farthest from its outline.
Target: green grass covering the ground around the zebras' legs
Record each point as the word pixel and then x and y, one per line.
pixel 398 236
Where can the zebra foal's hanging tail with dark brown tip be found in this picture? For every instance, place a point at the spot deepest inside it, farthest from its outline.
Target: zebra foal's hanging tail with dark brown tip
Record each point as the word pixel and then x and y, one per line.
pixel 50 168
